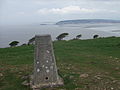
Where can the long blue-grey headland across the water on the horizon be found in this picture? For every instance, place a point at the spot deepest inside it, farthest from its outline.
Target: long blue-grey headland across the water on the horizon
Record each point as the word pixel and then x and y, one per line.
pixel 87 21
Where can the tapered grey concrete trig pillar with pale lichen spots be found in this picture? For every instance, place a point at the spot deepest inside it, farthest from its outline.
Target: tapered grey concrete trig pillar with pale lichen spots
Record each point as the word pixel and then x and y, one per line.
pixel 45 70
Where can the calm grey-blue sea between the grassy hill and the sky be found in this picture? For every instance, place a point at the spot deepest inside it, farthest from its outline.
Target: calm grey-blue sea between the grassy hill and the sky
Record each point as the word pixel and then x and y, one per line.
pixel 23 33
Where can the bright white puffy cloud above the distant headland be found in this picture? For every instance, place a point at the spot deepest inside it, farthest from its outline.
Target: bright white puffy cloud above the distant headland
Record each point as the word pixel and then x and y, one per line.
pixel 67 10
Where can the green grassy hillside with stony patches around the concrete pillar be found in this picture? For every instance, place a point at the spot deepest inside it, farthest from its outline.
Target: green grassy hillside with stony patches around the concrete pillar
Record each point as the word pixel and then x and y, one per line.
pixel 83 64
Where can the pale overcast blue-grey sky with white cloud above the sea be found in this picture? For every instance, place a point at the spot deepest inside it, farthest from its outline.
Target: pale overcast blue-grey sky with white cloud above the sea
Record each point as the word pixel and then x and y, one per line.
pixel 41 11
